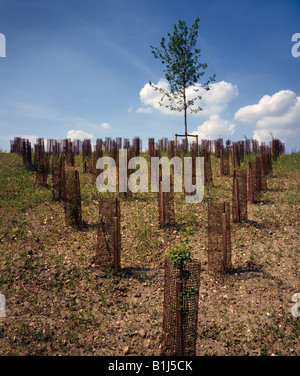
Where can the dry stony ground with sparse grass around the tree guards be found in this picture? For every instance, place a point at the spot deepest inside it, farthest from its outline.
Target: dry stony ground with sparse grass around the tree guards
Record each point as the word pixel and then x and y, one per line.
pixel 59 301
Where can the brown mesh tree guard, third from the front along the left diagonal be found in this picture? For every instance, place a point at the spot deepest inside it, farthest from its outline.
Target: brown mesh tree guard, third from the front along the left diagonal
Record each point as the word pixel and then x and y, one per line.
pixel 72 198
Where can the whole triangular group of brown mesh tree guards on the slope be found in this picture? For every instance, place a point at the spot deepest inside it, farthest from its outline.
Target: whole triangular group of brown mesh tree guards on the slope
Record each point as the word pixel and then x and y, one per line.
pixel 181 281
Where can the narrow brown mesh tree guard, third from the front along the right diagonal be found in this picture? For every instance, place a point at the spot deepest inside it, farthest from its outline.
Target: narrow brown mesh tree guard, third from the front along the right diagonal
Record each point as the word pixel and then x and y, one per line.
pixel 239 196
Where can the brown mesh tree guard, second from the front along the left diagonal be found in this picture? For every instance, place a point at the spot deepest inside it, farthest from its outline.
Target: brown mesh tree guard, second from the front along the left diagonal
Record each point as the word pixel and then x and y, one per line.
pixel 108 234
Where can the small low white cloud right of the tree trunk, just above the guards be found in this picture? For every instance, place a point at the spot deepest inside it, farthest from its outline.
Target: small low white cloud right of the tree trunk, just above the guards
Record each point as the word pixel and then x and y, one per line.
pixel 214 128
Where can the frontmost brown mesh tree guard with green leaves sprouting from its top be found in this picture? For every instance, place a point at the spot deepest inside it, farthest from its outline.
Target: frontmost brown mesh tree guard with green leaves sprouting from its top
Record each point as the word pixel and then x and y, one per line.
pixel 180 309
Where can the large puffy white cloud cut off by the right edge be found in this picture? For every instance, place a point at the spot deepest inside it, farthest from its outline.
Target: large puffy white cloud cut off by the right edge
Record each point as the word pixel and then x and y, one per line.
pixel 277 115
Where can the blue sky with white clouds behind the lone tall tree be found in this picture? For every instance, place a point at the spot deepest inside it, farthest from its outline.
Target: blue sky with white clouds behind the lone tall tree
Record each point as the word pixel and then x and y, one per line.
pixel 80 68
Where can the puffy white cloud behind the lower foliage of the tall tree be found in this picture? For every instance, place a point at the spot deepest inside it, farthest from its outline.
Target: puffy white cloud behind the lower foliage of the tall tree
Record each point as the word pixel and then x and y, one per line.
pixel 212 101
